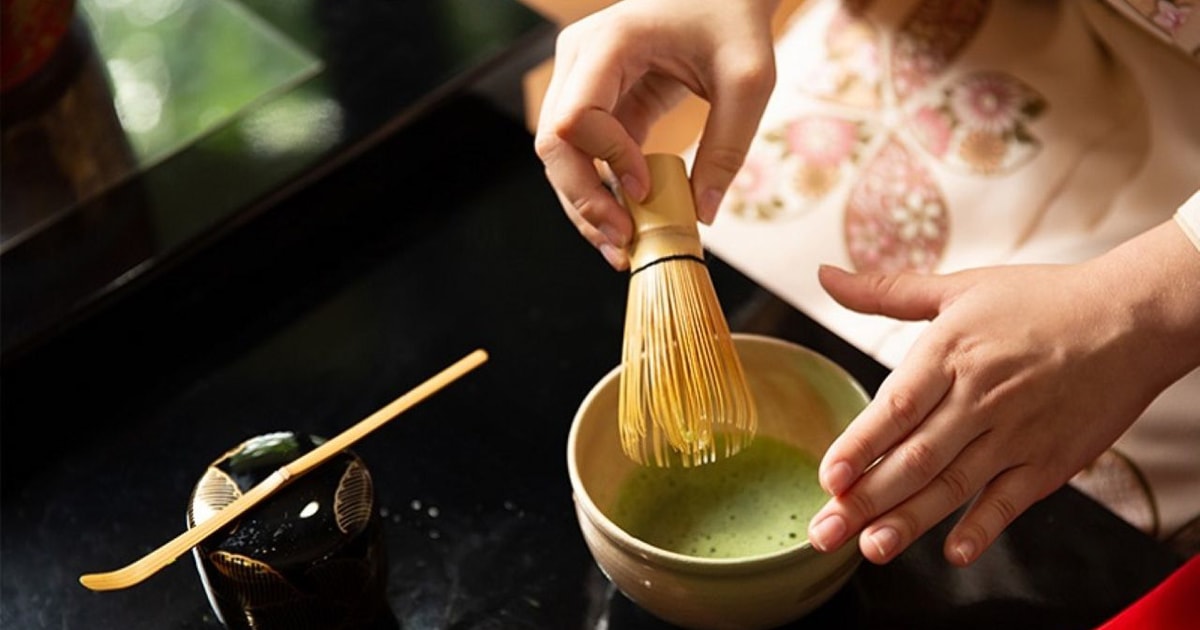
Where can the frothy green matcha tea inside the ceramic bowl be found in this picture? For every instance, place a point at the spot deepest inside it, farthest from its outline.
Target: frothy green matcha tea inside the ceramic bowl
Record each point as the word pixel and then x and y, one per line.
pixel 758 502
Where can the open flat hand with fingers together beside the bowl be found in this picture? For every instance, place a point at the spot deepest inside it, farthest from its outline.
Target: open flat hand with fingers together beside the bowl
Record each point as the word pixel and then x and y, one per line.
pixel 1024 376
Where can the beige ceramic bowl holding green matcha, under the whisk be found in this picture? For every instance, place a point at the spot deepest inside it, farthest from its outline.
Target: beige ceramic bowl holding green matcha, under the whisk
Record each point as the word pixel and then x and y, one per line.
pixel 723 545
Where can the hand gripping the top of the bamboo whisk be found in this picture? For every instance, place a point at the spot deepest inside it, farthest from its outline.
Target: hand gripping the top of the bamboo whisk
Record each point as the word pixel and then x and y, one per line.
pixel 620 70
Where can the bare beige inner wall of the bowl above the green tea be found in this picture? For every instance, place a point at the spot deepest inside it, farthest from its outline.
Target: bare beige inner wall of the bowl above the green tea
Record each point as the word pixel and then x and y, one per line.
pixel 803 399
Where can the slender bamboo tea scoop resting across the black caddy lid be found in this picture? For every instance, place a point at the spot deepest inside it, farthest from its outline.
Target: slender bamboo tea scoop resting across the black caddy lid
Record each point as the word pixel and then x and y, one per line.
pixel 167 554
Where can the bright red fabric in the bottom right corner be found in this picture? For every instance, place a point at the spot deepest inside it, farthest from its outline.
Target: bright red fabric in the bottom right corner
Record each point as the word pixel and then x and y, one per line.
pixel 1172 605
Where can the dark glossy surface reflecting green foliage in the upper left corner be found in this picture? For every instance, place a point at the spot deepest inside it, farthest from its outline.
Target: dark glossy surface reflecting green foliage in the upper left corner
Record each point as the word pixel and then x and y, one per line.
pixel 161 127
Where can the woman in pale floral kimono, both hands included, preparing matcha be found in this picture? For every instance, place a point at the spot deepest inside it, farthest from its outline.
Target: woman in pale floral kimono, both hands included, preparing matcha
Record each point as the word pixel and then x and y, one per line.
pixel 1012 185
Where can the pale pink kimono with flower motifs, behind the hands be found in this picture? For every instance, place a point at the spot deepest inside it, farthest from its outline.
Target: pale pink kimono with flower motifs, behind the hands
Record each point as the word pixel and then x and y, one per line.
pixel 941 135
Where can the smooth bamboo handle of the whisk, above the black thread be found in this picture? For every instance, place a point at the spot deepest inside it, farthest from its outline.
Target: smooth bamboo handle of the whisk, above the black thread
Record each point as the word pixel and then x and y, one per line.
pixel 667 221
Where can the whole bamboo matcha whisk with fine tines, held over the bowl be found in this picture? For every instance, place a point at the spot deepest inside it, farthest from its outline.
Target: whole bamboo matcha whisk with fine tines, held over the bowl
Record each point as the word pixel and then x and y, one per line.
pixel 683 397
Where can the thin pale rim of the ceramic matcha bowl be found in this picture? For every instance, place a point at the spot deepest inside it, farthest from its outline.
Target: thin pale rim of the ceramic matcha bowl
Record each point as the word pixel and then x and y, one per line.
pixel 681 561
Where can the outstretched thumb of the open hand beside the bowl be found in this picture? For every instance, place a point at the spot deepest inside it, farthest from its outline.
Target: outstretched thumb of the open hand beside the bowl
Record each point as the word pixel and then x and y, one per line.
pixel 903 296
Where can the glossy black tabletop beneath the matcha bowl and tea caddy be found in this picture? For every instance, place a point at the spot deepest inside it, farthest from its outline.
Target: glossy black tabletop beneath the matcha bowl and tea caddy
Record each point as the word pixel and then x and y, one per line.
pixel 441 241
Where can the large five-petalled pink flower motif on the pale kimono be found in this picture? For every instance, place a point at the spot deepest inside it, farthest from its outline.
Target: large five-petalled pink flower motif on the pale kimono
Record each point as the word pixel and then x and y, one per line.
pixel 886 109
